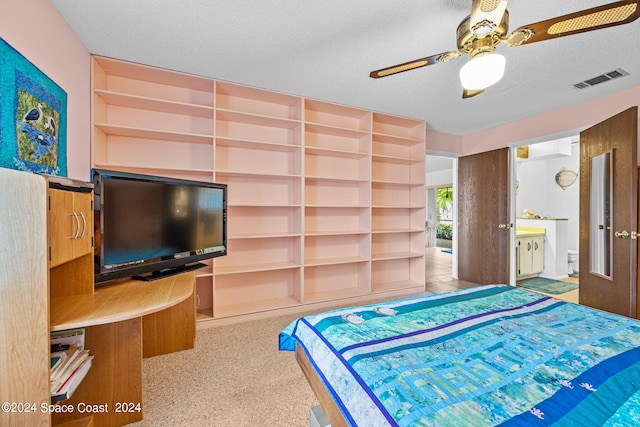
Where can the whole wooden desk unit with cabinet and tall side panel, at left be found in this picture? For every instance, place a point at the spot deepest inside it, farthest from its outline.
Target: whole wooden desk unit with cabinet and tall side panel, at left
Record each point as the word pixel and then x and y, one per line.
pixel 36 299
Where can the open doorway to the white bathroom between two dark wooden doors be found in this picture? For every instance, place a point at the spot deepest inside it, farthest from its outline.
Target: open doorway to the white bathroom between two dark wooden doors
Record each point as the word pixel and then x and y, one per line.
pixel 547 205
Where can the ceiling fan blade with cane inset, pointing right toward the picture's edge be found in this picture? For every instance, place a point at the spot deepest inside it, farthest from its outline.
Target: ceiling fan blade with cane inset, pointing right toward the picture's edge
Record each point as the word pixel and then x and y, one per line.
pixel 608 15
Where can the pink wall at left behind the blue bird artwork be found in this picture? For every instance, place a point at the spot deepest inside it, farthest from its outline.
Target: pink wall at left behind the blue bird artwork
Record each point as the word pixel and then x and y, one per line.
pixel 36 30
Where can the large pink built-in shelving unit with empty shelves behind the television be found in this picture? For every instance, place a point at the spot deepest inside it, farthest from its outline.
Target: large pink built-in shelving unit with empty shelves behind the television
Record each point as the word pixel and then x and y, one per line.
pixel 326 201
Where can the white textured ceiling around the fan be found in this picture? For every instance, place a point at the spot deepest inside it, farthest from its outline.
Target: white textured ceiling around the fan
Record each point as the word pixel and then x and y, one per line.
pixel 326 49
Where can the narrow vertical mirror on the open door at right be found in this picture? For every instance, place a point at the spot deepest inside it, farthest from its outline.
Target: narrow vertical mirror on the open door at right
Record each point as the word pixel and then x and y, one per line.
pixel 601 245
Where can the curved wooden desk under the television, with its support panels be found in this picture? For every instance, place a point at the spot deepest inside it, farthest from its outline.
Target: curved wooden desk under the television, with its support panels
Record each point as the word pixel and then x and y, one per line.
pixel 113 318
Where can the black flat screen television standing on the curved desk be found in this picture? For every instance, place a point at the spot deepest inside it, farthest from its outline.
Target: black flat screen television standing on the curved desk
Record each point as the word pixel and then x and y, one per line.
pixel 148 227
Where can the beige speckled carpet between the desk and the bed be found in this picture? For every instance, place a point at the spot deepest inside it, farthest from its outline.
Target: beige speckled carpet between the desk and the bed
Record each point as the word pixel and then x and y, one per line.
pixel 235 376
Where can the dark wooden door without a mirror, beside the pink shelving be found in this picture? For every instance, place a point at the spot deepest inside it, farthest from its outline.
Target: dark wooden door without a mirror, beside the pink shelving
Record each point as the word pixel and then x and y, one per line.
pixel 483 217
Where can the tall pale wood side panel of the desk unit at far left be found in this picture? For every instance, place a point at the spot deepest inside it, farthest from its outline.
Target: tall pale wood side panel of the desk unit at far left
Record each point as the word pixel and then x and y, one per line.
pixel 24 298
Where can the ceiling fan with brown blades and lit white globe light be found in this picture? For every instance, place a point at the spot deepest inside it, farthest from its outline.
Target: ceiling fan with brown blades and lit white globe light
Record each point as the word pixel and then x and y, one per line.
pixel 488 25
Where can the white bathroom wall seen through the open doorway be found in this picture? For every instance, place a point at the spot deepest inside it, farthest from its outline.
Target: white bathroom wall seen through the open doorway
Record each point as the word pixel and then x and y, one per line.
pixel 539 191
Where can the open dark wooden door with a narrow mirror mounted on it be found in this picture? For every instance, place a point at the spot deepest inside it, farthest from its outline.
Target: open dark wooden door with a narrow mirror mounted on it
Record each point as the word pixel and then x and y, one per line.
pixel 615 291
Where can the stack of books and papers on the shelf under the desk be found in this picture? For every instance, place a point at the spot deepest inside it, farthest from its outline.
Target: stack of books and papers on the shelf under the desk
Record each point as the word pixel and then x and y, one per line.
pixel 70 362
